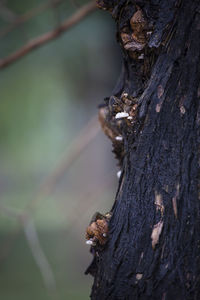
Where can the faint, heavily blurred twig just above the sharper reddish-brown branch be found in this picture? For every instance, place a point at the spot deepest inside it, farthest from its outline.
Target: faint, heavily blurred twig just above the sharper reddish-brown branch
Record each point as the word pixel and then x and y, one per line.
pixel 28 15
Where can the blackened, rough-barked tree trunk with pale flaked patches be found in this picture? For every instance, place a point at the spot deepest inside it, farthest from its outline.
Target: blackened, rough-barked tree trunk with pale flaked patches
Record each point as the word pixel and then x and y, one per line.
pixel 153 248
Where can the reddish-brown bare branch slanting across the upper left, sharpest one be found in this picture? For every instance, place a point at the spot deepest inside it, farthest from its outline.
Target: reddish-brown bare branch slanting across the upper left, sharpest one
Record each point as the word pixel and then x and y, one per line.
pixel 49 36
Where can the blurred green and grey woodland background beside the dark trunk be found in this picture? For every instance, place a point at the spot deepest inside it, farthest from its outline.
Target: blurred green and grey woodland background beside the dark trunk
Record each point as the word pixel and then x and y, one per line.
pixel 57 168
